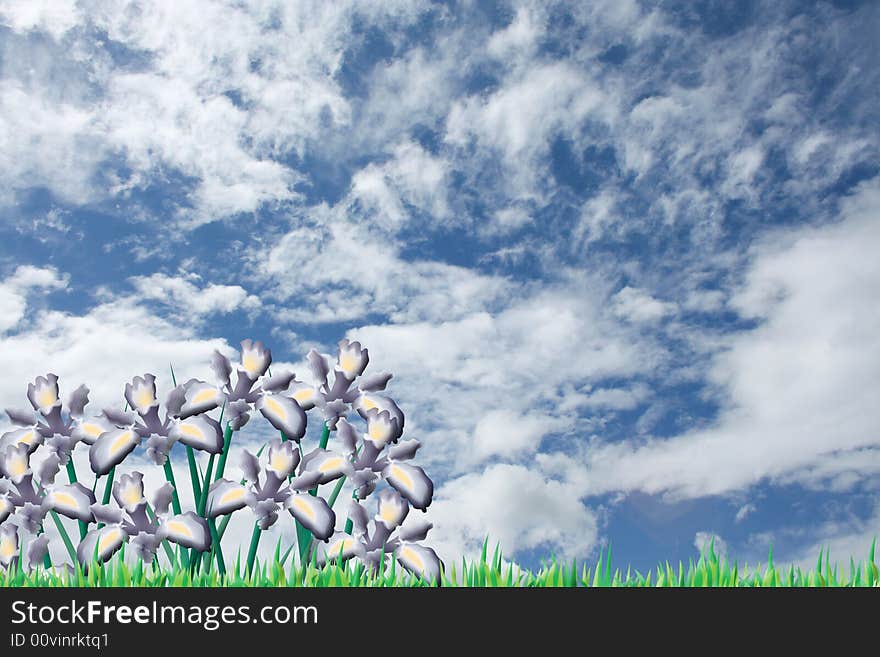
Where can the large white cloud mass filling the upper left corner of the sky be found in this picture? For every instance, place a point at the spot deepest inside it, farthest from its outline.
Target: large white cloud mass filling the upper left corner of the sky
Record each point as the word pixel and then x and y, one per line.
pixel 169 110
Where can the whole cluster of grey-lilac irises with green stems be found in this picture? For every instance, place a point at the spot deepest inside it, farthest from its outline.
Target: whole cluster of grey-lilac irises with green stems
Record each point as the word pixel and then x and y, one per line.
pixel 281 477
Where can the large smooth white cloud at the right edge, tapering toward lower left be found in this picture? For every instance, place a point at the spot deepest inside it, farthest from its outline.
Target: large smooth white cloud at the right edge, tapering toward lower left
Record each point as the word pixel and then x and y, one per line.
pixel 800 387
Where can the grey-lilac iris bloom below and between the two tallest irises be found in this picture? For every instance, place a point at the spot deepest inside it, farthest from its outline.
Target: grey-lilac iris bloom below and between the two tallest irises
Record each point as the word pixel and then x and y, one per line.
pixel 280 489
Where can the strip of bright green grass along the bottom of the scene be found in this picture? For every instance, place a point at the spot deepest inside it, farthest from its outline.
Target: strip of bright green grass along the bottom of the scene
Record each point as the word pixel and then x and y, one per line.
pixel 709 570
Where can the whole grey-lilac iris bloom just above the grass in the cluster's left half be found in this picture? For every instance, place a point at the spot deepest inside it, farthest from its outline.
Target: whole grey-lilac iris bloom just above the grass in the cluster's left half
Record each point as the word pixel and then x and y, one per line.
pixel 129 522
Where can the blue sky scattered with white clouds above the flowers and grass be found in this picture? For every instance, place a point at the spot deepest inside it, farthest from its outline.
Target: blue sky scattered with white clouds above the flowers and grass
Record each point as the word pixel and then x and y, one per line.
pixel 621 256
